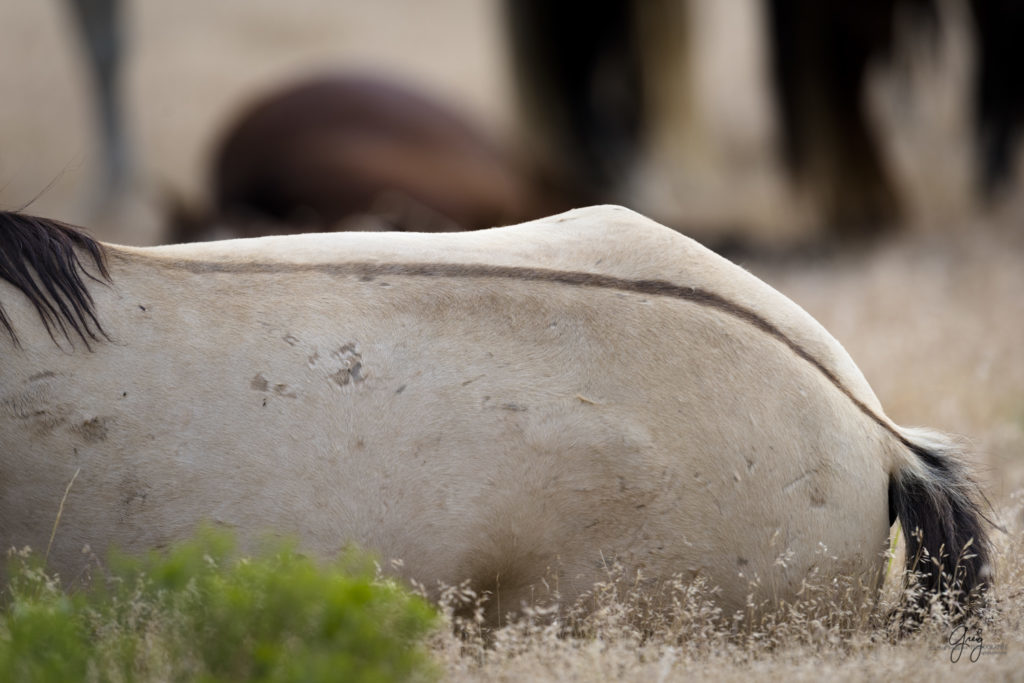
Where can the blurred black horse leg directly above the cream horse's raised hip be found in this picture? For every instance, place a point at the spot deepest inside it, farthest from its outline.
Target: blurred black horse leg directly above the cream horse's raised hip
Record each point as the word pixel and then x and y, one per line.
pixel 579 75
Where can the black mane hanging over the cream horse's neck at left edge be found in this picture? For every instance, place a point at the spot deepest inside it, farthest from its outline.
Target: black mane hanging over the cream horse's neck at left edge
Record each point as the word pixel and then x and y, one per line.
pixel 38 257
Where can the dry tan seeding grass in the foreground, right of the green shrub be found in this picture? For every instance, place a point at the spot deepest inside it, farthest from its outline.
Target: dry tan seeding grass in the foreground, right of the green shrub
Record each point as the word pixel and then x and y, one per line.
pixel 614 636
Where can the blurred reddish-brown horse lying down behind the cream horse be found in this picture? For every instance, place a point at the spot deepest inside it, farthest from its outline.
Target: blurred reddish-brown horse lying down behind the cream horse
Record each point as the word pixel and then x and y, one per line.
pixel 322 154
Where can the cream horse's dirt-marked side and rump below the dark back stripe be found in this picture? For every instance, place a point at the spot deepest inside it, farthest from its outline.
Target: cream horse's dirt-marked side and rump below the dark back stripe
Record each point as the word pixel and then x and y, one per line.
pixel 501 432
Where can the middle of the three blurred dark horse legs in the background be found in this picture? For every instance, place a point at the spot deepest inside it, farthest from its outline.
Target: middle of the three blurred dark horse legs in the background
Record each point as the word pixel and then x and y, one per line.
pixel 821 54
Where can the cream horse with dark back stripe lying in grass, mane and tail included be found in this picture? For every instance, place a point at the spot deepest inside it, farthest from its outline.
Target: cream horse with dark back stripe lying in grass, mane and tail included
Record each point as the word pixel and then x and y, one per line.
pixel 520 407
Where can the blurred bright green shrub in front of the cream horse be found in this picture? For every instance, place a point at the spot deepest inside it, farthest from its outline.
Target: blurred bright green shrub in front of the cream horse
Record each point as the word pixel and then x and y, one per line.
pixel 202 613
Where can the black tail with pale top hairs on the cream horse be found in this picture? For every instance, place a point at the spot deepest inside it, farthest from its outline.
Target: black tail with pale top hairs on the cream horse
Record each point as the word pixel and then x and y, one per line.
pixel 947 534
